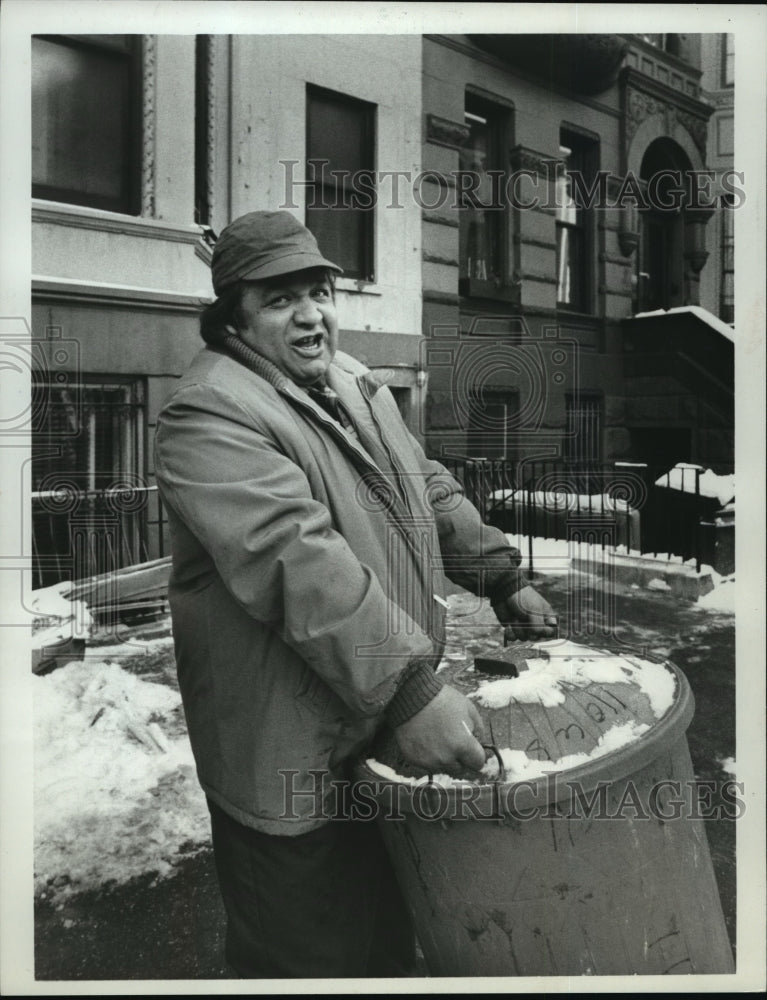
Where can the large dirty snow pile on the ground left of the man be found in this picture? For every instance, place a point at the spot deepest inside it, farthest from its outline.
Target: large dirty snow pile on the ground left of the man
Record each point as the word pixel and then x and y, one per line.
pixel 115 786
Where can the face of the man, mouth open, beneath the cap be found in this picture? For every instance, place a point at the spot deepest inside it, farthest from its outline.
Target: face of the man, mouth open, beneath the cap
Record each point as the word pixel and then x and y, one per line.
pixel 291 321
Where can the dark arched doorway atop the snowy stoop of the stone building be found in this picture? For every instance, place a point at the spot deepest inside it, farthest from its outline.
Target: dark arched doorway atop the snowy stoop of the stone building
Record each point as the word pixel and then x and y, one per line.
pixel 661 260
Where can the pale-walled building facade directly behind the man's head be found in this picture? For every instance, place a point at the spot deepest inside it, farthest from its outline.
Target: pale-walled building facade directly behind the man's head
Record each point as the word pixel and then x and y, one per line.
pixel 144 148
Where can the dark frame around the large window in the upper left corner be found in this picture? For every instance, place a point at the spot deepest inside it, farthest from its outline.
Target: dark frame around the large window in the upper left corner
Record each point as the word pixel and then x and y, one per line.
pixel 129 201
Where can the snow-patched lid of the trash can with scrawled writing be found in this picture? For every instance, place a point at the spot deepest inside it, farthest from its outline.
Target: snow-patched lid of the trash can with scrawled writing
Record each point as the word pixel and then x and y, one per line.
pixel 552 706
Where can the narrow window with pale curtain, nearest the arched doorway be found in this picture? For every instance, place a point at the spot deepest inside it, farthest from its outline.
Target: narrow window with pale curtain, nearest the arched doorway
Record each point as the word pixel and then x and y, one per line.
pixel 573 222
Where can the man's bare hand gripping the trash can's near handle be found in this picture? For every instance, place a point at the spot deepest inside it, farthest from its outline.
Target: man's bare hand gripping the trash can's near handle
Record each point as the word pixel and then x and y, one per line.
pixel 442 737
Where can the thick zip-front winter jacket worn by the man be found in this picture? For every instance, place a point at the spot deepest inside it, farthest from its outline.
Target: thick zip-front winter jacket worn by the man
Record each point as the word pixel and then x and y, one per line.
pixel 306 574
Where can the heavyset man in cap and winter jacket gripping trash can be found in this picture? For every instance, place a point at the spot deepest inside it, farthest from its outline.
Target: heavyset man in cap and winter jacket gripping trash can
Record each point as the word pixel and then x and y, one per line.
pixel 311 537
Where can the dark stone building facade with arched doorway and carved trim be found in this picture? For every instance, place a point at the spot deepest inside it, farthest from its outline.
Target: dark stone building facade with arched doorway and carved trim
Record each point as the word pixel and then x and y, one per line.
pixel 583 219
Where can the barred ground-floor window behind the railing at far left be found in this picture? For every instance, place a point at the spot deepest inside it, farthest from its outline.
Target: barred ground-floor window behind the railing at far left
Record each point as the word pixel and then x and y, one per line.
pixel 88 438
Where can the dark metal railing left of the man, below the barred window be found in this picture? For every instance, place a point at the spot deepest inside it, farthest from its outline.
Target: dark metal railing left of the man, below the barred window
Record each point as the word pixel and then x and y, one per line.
pixel 79 533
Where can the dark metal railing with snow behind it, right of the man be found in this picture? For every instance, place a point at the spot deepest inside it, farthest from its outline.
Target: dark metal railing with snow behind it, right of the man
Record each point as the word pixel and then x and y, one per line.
pixel 649 510
